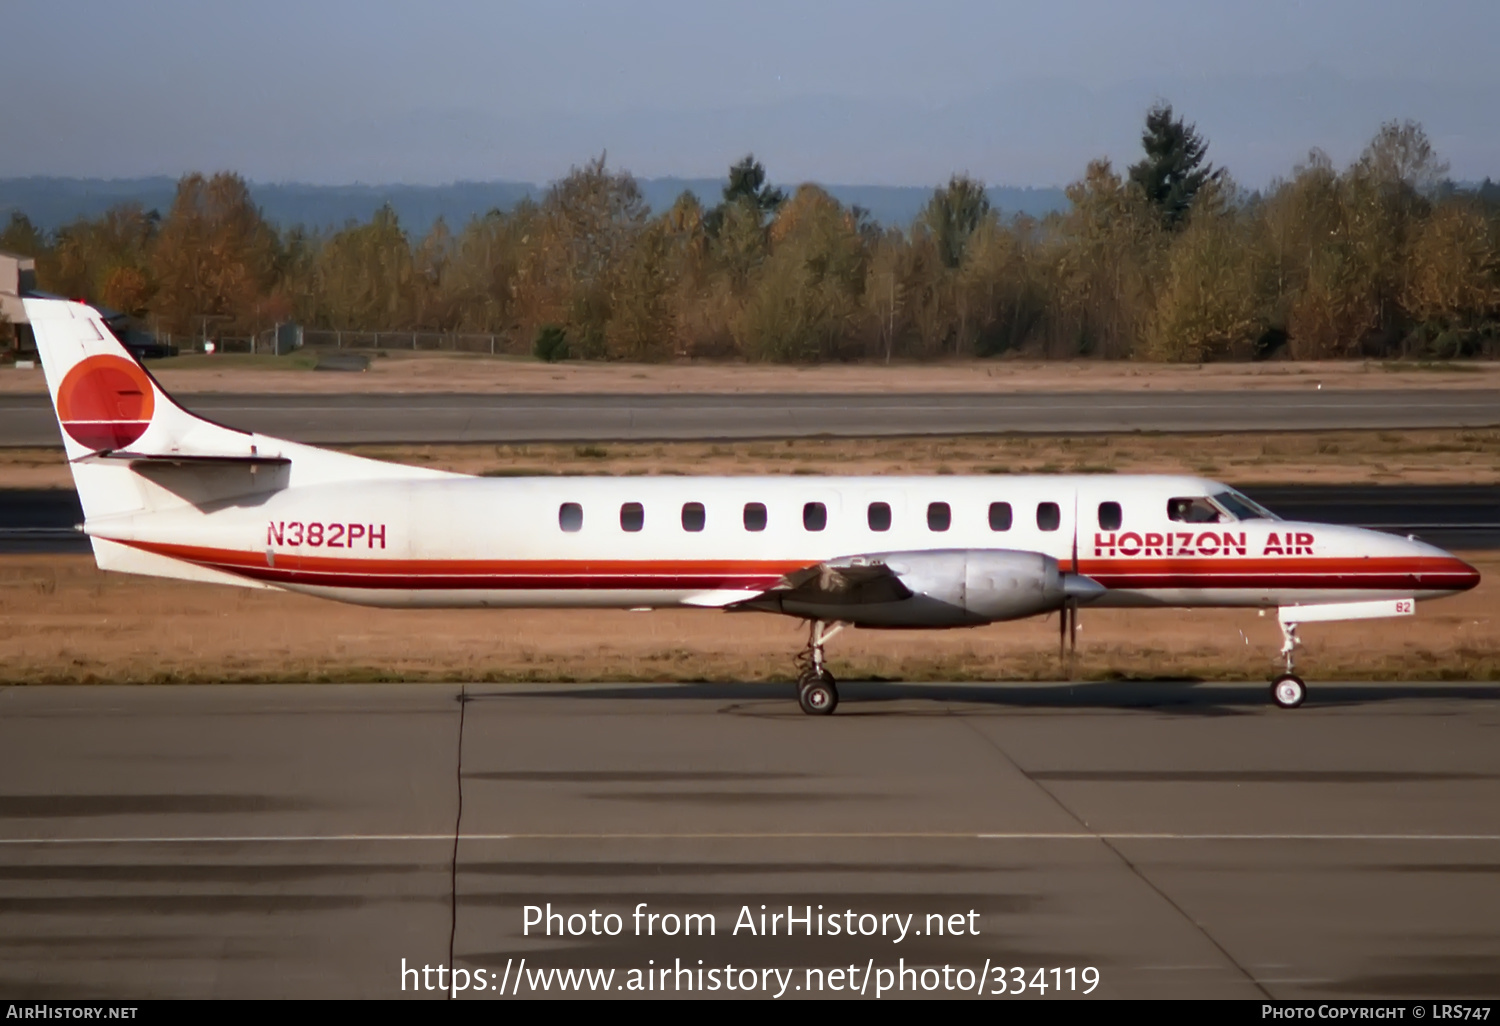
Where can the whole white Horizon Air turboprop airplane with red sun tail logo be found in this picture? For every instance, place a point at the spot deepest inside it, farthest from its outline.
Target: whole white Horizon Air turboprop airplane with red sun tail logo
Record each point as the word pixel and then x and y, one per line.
pixel 170 494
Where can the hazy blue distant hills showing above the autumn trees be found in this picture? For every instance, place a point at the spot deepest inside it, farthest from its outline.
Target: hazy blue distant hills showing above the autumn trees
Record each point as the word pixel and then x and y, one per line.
pixel 53 203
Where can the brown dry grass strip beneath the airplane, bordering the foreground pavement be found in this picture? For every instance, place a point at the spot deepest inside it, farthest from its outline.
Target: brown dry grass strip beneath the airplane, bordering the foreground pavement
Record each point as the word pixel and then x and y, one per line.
pixel 65 622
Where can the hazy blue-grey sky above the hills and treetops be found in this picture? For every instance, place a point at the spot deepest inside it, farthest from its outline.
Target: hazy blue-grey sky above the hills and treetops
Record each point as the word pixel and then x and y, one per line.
pixel 836 91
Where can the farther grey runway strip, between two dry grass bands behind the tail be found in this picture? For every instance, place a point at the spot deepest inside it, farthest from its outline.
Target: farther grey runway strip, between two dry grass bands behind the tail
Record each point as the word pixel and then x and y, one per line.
pixel 349 419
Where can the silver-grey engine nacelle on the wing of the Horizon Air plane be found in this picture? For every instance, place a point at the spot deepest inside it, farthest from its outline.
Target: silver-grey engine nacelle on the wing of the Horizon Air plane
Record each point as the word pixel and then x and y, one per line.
pixel 940 589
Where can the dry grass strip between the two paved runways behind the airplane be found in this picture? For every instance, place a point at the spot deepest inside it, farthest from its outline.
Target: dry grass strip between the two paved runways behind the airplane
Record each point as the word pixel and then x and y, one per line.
pixel 1340 457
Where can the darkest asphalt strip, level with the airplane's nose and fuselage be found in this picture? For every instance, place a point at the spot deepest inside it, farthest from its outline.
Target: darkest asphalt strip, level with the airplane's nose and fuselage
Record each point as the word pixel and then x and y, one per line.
pixel 1453 517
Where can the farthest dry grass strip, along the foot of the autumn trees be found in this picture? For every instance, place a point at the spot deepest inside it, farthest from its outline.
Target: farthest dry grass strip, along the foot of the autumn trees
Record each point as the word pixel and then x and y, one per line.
pixel 484 374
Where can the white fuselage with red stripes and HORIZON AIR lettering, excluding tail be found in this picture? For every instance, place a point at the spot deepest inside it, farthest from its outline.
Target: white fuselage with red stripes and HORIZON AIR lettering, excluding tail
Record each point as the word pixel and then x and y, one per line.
pixel 632 542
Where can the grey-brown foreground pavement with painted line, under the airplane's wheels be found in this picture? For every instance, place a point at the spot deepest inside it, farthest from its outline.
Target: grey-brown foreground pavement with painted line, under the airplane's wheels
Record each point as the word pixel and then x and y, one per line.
pixel 1184 841
